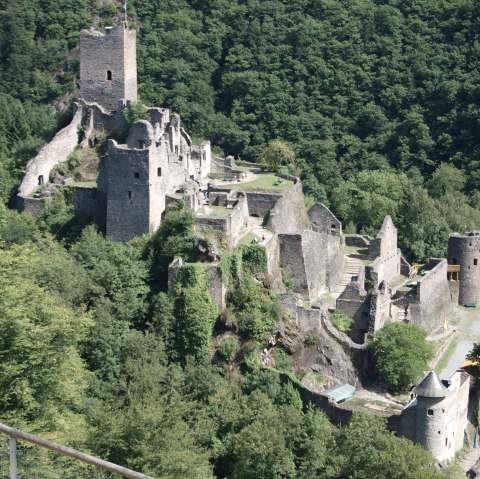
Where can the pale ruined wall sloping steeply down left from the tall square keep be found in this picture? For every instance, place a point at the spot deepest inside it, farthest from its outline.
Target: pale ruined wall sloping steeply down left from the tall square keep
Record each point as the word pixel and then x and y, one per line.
pixel 51 154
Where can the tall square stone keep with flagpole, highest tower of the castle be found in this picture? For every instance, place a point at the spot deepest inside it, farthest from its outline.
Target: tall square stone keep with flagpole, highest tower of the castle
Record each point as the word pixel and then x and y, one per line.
pixel 108 66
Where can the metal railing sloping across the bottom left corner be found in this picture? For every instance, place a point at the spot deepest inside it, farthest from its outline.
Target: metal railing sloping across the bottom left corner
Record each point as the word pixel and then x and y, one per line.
pixel 13 449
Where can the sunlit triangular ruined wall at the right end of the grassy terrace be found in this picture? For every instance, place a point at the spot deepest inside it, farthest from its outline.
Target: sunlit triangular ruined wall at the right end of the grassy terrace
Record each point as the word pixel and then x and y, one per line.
pixel 288 215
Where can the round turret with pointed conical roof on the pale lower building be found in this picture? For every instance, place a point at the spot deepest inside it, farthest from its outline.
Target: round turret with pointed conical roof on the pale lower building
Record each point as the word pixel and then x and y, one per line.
pixel 431 418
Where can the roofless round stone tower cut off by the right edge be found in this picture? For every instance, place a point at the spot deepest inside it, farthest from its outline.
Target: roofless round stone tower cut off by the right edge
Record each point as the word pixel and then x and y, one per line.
pixel 464 250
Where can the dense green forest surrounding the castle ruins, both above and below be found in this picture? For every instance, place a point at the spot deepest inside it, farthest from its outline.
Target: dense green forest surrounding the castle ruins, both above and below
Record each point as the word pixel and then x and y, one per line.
pixel 379 101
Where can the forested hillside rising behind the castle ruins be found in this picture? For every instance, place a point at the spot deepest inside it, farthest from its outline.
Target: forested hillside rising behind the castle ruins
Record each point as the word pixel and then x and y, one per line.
pixel 385 86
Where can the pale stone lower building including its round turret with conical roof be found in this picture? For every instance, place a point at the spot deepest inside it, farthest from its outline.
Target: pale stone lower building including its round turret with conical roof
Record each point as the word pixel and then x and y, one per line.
pixel 437 416
